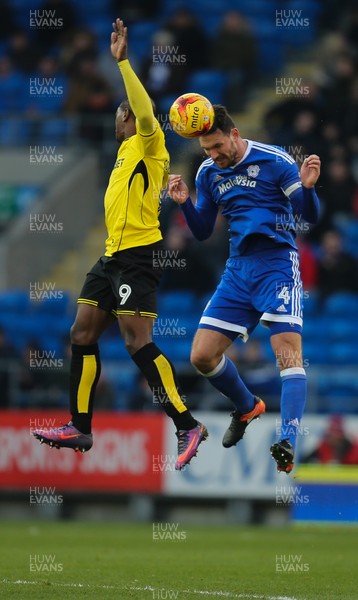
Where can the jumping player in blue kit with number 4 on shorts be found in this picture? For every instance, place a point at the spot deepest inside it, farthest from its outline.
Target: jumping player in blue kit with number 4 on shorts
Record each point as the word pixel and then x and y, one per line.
pixel 263 195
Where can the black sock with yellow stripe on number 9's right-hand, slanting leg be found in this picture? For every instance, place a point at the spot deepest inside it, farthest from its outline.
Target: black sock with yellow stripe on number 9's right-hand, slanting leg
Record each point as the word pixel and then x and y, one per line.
pixel 161 376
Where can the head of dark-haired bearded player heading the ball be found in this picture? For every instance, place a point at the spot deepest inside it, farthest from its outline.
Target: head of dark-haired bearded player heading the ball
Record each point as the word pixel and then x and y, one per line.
pixel 223 142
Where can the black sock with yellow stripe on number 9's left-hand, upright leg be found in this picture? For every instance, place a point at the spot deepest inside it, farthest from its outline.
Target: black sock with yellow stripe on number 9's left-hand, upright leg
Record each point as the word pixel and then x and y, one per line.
pixel 84 374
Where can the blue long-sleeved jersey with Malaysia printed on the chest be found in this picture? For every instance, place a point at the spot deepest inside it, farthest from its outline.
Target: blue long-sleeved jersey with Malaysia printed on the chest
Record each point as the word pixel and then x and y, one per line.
pixel 261 196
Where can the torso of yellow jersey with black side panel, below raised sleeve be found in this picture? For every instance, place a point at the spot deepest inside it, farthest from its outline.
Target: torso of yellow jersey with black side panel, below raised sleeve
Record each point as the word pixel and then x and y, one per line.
pixel 132 199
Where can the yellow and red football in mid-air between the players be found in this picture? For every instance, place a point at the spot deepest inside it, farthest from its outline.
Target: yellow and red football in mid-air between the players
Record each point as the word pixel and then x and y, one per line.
pixel 191 115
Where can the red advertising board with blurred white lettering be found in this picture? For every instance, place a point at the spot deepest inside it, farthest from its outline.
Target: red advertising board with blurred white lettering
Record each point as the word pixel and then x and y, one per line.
pixel 124 456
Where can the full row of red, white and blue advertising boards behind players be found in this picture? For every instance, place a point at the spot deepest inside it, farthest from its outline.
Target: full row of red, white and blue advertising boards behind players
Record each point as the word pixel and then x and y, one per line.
pixel 136 453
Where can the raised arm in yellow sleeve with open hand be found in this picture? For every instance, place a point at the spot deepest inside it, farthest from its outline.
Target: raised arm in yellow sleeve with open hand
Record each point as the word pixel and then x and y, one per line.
pixel 138 97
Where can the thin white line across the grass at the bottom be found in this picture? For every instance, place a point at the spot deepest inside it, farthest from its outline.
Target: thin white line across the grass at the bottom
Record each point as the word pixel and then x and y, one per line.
pixel 149 588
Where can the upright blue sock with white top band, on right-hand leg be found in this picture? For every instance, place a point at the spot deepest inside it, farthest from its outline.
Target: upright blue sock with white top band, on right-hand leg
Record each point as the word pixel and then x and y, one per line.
pixel 293 400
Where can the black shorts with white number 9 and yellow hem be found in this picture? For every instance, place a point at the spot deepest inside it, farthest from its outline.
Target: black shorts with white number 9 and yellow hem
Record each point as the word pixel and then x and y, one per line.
pixel 125 283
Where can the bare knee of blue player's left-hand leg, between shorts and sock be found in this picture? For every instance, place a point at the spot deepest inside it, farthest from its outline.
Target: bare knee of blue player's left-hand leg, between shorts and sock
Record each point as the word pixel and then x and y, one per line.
pixel 208 345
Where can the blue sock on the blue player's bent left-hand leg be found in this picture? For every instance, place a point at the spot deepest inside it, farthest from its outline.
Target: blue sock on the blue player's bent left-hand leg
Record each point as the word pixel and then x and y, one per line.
pixel 227 380
